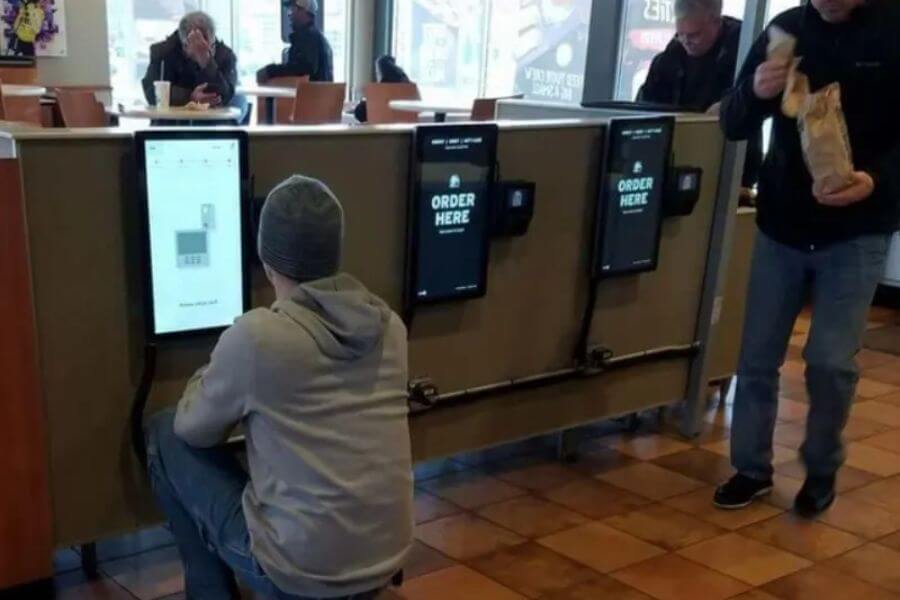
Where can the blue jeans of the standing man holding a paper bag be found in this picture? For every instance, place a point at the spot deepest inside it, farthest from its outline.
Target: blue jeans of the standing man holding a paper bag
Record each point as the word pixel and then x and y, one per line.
pixel 840 280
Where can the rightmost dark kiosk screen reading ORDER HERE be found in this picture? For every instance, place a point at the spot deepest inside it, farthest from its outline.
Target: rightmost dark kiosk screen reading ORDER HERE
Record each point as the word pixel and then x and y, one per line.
pixel 629 216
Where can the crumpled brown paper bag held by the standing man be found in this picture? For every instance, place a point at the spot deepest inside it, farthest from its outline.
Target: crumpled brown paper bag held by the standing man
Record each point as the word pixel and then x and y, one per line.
pixel 825 141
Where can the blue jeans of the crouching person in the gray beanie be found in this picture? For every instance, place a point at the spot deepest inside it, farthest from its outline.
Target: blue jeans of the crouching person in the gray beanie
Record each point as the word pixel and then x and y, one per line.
pixel 200 492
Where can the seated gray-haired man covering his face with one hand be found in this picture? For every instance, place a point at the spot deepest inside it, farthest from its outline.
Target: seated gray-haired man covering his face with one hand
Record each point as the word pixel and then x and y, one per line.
pixel 201 68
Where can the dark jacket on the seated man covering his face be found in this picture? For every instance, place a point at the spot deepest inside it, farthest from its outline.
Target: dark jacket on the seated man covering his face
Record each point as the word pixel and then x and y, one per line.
pixel 185 74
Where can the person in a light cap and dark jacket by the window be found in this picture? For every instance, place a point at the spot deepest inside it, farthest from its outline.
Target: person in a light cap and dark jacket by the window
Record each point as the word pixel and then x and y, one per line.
pixel 310 53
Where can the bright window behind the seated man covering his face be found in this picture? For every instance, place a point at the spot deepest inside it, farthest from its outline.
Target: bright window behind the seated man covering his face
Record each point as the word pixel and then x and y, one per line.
pixel 252 28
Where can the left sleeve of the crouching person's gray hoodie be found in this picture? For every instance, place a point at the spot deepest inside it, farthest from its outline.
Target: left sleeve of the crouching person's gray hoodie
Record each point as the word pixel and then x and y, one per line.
pixel 216 398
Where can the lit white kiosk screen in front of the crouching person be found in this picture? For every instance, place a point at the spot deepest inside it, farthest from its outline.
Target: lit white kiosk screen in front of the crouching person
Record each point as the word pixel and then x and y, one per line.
pixel 192 188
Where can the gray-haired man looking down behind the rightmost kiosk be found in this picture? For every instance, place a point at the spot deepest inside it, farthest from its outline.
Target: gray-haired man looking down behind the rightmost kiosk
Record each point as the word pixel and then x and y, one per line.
pixel 699 66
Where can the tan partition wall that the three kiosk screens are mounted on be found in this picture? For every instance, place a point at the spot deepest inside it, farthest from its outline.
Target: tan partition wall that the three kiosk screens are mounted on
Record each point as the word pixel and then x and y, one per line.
pixel 82 225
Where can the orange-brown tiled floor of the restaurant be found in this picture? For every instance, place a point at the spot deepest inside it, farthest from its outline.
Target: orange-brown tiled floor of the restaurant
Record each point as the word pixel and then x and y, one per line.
pixel 631 520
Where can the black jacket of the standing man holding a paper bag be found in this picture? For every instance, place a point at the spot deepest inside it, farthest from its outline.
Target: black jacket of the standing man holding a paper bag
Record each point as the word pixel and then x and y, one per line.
pixel 863 55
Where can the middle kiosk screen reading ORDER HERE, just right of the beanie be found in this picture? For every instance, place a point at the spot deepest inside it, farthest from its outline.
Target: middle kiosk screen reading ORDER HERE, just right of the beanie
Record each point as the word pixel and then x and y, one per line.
pixel 450 212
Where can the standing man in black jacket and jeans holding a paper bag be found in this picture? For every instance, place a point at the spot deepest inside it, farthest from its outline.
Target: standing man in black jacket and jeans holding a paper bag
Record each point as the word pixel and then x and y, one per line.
pixel 828 74
